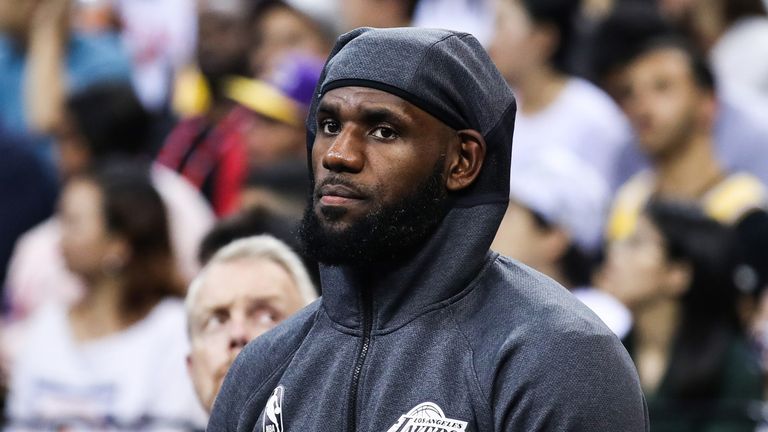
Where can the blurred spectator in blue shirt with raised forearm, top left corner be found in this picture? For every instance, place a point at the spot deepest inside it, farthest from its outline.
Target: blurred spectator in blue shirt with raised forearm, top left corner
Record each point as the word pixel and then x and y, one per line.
pixel 42 61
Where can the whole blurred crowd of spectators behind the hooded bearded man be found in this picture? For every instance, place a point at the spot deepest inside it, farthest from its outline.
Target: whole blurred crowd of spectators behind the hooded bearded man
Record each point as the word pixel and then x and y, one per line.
pixel 139 139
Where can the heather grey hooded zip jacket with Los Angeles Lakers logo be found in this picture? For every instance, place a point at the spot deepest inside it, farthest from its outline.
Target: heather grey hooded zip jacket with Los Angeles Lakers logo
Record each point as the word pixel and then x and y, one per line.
pixel 491 343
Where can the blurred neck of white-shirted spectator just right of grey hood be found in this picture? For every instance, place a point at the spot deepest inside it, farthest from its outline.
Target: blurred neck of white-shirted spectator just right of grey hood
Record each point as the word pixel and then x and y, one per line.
pixel 539 88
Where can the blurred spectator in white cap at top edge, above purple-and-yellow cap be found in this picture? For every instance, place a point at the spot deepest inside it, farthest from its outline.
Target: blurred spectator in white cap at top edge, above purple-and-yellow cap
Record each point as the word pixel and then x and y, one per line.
pixel 292 26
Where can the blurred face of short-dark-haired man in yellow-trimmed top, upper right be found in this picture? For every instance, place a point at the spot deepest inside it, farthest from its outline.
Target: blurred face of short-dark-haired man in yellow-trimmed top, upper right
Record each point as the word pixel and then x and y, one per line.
pixel 659 94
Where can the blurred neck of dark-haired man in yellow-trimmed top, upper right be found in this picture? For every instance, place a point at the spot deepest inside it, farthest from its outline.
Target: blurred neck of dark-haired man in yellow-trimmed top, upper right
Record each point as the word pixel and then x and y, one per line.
pixel 690 172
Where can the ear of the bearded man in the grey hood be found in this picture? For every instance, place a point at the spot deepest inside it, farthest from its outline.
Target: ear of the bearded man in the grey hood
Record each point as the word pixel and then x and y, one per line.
pixel 466 161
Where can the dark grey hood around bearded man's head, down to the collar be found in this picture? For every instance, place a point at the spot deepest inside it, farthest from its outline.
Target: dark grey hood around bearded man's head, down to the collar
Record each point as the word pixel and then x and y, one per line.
pixel 450 76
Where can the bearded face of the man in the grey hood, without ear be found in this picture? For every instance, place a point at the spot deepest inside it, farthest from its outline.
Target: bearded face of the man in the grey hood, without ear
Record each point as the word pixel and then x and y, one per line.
pixel 379 173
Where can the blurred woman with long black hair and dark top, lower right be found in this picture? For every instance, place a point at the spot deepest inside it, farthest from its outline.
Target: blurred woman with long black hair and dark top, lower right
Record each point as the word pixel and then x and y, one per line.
pixel 675 272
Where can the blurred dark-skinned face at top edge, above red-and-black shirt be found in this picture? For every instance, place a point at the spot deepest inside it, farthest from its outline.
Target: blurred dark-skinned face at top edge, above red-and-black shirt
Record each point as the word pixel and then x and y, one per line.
pixel 222 38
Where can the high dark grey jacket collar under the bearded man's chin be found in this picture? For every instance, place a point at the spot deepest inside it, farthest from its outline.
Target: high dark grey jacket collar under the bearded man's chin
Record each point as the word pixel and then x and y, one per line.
pixel 442 268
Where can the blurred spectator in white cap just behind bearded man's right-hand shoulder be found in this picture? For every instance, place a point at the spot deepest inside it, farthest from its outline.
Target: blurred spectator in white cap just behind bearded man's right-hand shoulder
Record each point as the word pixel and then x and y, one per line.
pixel 554 223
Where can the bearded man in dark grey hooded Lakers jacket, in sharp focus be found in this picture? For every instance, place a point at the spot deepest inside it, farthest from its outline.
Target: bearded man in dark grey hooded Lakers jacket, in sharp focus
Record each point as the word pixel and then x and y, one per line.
pixel 421 326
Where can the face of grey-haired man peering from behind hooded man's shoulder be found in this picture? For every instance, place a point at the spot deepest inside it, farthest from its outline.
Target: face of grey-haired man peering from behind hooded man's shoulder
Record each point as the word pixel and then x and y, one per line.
pixel 238 301
